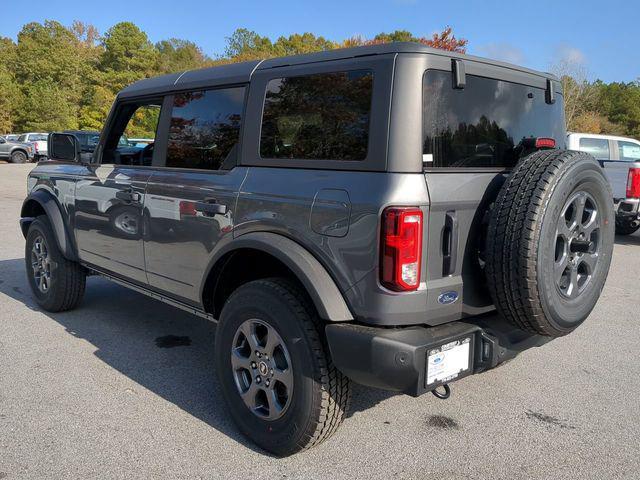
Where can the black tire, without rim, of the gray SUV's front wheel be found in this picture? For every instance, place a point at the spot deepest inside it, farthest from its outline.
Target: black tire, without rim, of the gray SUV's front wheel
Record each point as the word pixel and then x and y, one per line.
pixel 68 278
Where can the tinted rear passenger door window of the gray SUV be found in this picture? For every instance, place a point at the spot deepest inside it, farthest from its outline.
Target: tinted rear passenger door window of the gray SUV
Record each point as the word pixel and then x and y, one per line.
pixel 205 126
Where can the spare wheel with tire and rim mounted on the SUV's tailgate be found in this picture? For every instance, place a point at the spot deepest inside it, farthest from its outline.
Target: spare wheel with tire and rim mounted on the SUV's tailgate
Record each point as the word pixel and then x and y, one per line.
pixel 550 241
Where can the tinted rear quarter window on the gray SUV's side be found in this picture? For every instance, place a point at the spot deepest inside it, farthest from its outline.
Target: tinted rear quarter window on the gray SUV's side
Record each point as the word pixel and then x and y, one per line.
pixel 319 117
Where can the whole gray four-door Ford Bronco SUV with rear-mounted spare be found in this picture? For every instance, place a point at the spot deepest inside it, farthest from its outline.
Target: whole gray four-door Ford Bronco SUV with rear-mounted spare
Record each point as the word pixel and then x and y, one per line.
pixel 393 215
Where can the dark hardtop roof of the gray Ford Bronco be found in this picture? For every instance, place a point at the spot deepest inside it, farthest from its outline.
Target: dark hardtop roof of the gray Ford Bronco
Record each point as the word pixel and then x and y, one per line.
pixel 235 73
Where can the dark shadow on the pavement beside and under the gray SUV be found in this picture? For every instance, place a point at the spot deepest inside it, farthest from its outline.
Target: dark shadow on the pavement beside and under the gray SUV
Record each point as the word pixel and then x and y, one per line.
pixel 163 349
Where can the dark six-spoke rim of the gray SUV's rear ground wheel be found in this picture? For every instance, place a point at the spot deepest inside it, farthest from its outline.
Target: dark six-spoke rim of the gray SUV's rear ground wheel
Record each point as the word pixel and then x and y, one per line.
pixel 261 368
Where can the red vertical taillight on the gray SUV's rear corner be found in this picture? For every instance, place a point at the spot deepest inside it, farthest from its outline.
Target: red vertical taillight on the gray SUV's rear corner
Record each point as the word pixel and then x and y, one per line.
pixel 401 248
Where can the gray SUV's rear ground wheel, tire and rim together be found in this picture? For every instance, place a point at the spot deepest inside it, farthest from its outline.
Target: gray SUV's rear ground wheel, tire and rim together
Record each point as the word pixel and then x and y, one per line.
pixel 281 388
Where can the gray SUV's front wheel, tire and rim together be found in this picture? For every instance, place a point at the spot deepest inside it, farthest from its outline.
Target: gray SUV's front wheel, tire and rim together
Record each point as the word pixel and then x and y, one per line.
pixel 57 283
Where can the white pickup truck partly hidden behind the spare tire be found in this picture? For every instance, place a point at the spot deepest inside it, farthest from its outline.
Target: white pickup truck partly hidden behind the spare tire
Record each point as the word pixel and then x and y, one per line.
pixel 620 158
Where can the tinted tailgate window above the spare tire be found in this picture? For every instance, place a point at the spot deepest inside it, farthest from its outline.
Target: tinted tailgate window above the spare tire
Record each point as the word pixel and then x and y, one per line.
pixel 483 124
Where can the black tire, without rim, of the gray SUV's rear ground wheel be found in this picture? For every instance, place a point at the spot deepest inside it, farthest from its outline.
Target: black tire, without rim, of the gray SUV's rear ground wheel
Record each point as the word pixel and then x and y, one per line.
pixel 321 393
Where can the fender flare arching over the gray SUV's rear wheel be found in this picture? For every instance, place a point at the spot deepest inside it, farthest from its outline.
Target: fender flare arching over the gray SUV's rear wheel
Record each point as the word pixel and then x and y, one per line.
pixel 322 289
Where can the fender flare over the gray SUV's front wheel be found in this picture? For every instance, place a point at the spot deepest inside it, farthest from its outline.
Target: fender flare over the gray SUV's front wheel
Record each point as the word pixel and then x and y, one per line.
pixel 52 209
